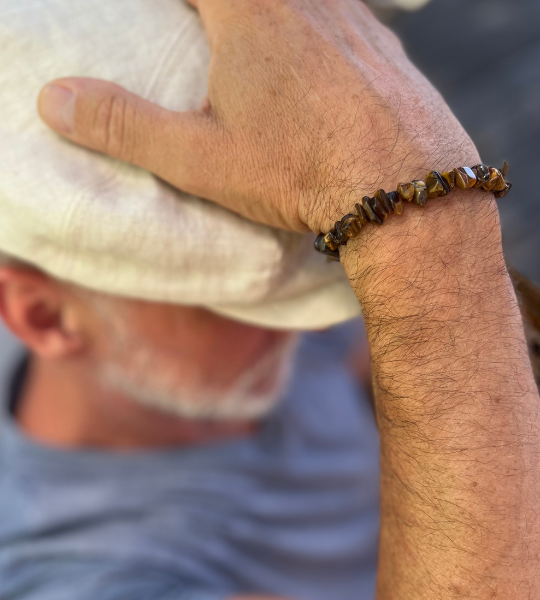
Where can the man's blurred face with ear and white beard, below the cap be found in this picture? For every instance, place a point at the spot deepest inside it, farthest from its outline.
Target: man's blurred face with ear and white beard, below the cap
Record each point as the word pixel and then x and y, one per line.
pixel 180 359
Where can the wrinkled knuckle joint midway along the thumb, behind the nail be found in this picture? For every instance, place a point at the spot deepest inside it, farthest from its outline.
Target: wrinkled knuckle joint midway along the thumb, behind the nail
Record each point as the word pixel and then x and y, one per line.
pixel 111 126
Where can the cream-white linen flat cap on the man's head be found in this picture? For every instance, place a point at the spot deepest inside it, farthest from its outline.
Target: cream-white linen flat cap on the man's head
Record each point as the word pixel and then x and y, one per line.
pixel 112 227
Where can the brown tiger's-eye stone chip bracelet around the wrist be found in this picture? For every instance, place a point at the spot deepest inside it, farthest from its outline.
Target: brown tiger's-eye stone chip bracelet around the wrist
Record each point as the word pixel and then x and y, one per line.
pixel 376 210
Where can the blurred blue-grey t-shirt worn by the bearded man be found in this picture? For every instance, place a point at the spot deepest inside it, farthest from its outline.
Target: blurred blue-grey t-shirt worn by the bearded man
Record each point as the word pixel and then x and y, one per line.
pixel 292 511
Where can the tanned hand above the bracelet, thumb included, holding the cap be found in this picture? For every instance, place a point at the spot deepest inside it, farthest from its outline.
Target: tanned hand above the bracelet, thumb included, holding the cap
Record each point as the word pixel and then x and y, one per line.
pixel 311 106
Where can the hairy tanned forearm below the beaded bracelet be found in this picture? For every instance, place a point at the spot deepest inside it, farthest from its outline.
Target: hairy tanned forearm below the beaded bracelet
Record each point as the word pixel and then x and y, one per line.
pixel 456 403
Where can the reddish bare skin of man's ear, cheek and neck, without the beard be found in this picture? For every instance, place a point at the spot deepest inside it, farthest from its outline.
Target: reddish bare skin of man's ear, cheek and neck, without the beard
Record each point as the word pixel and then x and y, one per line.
pixel 65 402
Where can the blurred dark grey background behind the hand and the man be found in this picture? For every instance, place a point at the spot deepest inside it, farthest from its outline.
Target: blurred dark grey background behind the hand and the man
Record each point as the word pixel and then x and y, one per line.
pixel 484 57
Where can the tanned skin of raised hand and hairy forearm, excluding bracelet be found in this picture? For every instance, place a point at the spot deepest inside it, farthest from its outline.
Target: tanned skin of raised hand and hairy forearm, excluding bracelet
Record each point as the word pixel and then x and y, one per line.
pixel 311 105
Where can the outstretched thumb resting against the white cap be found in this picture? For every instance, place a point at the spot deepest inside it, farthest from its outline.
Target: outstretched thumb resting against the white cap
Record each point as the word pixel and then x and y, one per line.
pixel 107 118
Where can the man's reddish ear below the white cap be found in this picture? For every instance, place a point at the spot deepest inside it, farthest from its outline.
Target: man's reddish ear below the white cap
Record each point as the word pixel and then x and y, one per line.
pixel 40 312
